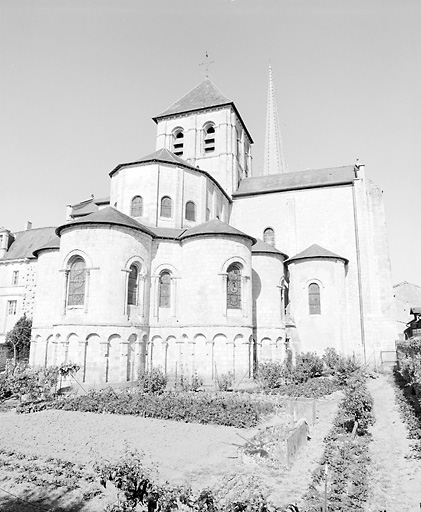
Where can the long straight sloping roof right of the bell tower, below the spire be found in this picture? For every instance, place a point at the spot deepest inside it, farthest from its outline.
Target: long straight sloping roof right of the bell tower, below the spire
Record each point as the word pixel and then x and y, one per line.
pixel 296 180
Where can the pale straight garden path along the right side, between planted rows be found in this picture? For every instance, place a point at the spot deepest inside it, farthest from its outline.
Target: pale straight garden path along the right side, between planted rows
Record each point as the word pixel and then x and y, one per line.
pixel 395 477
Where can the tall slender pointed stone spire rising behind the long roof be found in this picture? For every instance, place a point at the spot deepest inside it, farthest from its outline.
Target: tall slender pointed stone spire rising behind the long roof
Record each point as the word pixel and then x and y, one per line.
pixel 274 160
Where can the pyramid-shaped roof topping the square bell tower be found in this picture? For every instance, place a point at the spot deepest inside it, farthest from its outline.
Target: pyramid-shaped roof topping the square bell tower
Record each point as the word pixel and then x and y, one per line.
pixel 202 97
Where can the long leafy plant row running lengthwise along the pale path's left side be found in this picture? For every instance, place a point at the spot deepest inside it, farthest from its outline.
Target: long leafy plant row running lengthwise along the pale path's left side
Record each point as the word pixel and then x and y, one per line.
pixel 342 476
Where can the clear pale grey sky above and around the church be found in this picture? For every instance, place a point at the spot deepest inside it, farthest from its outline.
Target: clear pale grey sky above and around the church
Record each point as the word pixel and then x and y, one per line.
pixel 80 81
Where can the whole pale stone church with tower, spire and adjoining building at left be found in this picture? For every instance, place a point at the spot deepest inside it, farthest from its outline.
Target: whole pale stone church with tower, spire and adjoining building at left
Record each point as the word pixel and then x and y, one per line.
pixel 197 265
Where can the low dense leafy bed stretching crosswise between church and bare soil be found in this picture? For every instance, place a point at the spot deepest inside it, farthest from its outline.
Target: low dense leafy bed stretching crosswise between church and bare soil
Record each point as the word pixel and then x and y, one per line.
pixel 235 410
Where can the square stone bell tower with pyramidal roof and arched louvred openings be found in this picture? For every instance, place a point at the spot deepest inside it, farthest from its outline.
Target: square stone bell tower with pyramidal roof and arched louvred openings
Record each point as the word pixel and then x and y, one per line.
pixel 205 128
